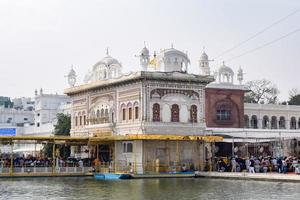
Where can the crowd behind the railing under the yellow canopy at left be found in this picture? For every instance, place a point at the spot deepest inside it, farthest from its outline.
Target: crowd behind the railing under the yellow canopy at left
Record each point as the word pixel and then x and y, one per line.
pixel 39 161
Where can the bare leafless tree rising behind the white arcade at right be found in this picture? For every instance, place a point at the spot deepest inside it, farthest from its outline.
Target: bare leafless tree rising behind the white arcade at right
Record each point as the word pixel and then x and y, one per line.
pixel 261 91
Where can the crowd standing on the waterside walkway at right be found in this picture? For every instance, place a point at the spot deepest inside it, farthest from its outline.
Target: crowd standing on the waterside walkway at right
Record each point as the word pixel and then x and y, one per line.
pixel 258 164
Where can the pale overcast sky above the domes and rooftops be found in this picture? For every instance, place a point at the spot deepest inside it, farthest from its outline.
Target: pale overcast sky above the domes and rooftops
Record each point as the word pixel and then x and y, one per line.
pixel 40 40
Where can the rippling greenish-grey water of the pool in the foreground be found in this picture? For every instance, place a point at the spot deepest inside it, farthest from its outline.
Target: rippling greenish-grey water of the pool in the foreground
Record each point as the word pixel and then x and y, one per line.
pixel 156 189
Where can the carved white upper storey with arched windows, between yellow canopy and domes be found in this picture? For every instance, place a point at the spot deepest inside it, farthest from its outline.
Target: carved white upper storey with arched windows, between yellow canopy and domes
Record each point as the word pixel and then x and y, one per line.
pixel 141 103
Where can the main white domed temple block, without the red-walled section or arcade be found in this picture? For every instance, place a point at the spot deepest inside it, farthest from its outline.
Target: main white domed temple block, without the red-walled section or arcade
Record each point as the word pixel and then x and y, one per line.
pixel 157 104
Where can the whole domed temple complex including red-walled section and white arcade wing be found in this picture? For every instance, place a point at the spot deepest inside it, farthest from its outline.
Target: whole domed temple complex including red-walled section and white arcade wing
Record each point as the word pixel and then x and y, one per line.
pixel 164 116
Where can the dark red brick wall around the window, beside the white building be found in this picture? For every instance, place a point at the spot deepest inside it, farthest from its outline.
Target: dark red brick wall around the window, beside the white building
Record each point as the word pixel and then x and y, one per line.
pixel 235 98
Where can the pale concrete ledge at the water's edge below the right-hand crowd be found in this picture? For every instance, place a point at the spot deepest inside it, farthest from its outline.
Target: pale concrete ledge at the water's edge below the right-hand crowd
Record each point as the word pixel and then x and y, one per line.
pixel 250 176
